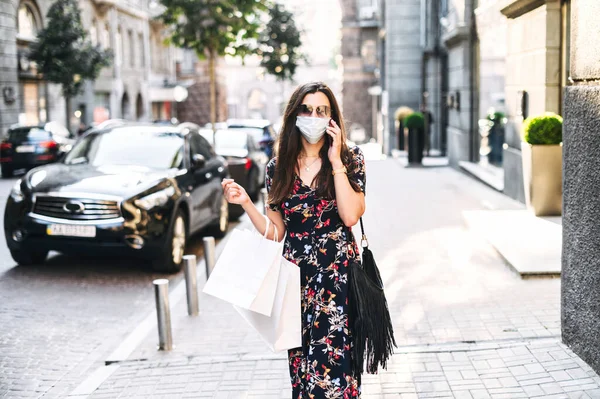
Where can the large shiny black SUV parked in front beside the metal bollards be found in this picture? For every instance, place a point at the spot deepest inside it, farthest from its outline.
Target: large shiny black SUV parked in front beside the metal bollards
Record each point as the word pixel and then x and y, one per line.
pixel 135 189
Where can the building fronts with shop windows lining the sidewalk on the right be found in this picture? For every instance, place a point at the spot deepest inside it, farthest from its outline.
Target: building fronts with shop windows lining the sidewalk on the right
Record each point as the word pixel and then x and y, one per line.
pixel 475 58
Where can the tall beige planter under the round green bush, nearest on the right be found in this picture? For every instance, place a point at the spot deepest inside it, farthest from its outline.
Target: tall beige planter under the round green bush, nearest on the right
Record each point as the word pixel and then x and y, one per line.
pixel 542 177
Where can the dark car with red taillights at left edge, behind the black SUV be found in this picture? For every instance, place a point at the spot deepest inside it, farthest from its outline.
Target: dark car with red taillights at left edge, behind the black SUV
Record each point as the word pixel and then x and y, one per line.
pixel 30 146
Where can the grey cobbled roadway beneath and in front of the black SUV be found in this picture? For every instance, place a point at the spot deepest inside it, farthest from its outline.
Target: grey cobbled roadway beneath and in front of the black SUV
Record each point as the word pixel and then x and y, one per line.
pixel 60 319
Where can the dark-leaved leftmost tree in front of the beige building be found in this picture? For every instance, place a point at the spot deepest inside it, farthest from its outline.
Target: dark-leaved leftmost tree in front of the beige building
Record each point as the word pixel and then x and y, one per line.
pixel 63 52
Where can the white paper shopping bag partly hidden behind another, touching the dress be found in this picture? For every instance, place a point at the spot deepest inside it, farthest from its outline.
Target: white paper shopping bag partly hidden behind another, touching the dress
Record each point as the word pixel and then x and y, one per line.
pixel 283 329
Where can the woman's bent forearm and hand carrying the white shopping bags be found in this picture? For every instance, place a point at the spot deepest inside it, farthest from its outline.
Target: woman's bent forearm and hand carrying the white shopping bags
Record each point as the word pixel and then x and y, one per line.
pixel 235 194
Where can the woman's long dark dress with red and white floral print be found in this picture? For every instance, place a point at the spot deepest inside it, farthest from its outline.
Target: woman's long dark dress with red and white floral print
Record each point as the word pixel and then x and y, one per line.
pixel 316 242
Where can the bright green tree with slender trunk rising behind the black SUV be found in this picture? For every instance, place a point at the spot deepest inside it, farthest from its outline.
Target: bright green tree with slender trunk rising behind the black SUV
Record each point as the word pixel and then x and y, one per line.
pixel 213 28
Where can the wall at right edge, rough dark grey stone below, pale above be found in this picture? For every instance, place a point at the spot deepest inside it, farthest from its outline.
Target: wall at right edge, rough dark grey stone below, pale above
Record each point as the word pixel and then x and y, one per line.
pixel 581 185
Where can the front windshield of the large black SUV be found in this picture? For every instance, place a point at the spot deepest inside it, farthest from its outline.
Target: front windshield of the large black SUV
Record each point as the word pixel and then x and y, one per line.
pixel 160 150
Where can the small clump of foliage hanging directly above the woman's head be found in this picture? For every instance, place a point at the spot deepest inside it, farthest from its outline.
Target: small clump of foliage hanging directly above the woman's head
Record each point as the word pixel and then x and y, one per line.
pixel 279 44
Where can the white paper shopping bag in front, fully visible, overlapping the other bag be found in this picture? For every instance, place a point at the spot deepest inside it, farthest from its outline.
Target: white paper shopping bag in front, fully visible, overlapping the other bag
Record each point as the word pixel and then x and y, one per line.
pixel 246 272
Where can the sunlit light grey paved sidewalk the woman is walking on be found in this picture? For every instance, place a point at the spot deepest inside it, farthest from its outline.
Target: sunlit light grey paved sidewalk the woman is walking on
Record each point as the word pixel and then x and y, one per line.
pixel 467 326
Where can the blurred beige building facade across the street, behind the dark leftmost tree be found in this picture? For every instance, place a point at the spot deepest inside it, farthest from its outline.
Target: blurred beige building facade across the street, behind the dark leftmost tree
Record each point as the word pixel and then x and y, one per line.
pixel 139 85
